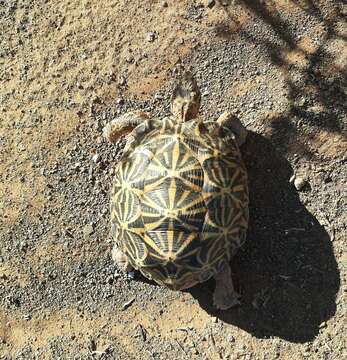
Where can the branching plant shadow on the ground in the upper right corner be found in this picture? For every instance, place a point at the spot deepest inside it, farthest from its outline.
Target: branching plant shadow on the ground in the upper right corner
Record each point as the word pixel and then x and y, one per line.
pixel 316 87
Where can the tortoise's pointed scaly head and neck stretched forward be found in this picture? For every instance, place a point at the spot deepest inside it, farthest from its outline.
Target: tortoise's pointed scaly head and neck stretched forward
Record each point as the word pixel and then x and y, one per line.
pixel 185 99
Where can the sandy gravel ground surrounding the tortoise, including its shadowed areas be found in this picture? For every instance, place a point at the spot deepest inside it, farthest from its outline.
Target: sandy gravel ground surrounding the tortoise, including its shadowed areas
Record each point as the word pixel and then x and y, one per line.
pixel 69 67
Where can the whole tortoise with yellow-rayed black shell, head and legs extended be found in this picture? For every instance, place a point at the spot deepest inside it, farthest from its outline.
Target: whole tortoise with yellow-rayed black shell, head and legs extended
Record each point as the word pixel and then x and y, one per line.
pixel 179 202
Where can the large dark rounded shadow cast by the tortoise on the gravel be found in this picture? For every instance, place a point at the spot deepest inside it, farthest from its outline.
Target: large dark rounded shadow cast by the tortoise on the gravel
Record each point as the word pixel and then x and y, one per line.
pixel 287 268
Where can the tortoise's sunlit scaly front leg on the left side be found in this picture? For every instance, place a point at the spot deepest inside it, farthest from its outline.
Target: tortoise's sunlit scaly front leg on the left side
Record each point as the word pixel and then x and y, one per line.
pixel 123 125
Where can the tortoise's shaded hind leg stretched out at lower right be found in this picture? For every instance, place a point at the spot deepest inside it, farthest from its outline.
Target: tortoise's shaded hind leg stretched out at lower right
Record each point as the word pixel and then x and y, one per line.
pixel 225 296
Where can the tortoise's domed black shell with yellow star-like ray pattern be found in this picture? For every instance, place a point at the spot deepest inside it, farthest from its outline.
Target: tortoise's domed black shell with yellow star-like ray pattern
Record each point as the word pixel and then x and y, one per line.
pixel 180 204
